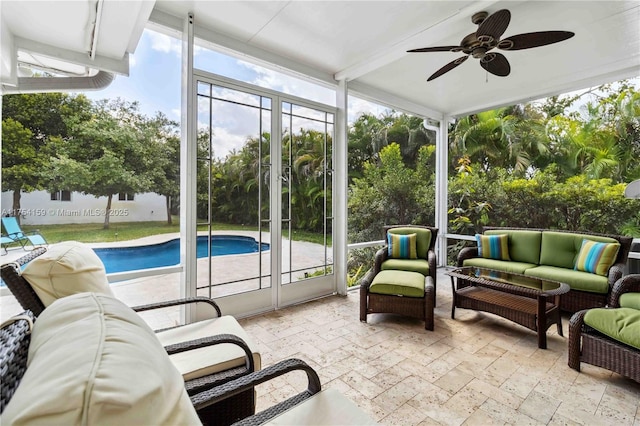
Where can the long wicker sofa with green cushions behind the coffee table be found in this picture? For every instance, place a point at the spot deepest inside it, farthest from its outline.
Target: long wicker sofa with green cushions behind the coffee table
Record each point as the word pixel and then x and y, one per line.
pixel 552 254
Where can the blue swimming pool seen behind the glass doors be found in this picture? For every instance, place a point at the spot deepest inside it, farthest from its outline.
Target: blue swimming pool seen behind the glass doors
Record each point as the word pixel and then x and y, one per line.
pixel 121 259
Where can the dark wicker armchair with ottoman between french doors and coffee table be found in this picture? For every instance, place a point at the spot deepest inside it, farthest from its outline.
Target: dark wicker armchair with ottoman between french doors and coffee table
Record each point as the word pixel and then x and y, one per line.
pixel 416 307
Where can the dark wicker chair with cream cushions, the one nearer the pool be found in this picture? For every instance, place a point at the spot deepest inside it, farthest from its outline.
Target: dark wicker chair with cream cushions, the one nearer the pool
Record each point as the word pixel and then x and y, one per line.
pixel 71 267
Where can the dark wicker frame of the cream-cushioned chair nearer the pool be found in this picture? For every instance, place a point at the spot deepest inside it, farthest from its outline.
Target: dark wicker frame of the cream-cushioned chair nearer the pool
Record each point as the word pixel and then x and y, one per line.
pixel 238 407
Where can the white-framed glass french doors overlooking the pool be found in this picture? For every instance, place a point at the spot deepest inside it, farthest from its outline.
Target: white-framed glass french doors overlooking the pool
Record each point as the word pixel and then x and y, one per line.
pixel 264 178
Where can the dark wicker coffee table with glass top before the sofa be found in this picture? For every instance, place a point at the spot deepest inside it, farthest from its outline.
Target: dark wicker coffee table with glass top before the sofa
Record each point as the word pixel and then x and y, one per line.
pixel 528 301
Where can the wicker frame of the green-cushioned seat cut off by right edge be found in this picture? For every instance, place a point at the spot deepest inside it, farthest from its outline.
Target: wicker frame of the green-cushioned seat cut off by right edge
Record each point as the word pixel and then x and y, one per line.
pixel 590 346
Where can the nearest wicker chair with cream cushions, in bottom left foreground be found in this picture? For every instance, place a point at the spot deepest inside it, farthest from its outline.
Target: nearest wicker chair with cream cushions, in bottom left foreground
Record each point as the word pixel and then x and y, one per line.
pixel 92 360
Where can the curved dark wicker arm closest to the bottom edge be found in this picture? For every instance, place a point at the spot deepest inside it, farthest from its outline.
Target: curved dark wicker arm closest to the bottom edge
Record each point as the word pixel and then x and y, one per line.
pixel 237 386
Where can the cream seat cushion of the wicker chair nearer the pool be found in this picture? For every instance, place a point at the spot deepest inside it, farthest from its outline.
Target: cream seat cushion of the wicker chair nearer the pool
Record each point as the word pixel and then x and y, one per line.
pixel 212 359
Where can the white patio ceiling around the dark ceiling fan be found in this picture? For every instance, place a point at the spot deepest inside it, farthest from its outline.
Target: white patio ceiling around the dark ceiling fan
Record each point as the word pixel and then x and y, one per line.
pixel 365 43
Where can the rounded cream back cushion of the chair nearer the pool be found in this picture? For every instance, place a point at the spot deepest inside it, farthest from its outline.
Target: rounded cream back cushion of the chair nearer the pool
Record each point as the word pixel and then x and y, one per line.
pixel 64 269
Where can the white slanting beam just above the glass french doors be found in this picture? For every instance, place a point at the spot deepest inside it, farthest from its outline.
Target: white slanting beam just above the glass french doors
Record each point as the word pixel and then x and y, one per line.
pixel 243 50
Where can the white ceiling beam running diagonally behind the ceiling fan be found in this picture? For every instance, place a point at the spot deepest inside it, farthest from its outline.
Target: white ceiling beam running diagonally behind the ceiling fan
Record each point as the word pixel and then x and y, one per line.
pixel 398 50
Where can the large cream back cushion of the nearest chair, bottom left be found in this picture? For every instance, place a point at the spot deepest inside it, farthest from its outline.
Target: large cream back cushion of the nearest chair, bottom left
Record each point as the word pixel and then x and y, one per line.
pixel 93 361
